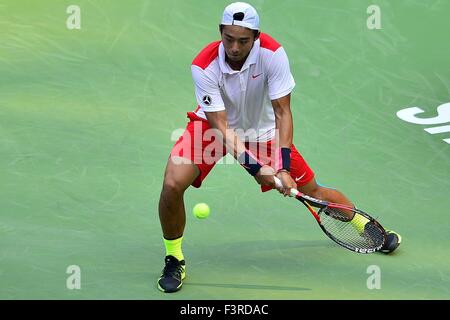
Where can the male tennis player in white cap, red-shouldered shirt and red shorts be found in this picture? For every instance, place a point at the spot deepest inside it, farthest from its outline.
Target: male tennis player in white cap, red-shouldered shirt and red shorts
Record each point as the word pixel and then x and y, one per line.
pixel 243 86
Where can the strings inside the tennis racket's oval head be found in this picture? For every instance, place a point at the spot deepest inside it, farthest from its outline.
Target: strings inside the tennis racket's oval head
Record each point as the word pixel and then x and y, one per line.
pixel 351 228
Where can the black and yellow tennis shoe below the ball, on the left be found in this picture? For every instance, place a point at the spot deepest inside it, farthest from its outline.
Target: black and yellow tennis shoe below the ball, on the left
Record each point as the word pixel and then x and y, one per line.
pixel 172 275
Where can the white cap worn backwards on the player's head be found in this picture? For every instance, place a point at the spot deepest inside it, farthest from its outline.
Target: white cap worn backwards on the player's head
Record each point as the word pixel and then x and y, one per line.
pixel 241 14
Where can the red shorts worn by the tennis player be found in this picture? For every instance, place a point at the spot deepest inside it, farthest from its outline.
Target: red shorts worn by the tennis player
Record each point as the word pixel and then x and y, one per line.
pixel 200 145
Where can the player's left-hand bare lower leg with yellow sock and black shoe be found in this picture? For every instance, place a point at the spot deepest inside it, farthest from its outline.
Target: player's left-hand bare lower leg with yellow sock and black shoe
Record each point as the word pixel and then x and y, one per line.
pixel 179 175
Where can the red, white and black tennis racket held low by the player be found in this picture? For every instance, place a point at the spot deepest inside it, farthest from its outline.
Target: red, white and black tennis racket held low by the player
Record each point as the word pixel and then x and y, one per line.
pixel 349 227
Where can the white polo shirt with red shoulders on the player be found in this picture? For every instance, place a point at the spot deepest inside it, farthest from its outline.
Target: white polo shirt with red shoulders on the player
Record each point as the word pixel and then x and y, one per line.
pixel 246 94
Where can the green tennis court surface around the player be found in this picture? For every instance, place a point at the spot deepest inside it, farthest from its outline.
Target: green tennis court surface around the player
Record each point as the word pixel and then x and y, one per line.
pixel 87 120
